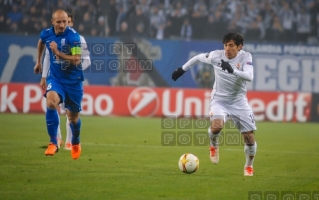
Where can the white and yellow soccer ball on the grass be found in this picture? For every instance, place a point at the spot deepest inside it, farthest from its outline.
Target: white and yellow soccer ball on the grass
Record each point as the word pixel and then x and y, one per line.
pixel 188 163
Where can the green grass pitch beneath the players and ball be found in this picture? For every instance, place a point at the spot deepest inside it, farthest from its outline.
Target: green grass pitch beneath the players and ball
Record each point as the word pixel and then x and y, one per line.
pixel 122 158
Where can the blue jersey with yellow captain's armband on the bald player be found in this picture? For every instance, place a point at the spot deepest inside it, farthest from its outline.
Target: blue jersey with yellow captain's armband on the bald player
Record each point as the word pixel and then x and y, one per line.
pixel 69 43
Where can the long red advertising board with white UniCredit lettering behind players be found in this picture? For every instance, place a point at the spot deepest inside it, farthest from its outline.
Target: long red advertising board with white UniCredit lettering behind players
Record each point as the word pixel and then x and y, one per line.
pixel 156 102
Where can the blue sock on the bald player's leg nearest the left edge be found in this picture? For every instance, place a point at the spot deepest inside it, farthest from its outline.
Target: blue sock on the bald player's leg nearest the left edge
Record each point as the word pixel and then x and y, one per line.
pixel 52 119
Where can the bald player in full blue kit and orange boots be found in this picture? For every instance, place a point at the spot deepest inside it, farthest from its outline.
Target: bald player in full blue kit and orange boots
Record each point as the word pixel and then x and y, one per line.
pixel 64 80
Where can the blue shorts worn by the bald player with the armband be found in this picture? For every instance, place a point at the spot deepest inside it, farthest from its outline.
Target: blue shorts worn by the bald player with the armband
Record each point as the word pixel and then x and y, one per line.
pixel 70 94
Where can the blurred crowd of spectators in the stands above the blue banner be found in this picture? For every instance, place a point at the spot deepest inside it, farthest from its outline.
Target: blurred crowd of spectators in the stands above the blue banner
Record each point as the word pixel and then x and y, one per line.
pixel 258 20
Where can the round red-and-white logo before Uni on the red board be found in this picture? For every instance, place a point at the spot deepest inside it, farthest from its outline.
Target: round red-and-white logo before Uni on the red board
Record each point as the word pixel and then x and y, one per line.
pixel 143 102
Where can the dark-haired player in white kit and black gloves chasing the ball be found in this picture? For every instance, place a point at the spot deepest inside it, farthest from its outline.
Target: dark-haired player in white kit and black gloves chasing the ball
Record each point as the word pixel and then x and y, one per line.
pixel 233 68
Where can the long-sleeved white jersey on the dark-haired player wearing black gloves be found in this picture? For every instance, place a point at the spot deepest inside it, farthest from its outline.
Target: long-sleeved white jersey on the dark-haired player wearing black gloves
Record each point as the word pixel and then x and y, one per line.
pixel 227 87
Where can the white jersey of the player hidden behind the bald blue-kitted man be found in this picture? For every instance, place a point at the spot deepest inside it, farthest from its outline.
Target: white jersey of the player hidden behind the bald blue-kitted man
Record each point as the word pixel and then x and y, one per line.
pixel 85 58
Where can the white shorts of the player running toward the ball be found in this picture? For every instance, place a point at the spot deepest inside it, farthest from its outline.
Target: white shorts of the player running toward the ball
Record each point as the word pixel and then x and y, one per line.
pixel 240 113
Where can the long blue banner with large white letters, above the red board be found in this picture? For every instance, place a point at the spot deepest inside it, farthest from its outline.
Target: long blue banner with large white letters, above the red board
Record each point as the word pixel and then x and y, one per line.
pixel 140 62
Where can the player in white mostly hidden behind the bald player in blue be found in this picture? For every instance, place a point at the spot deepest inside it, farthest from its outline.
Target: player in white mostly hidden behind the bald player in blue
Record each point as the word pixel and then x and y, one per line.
pixel 86 62
